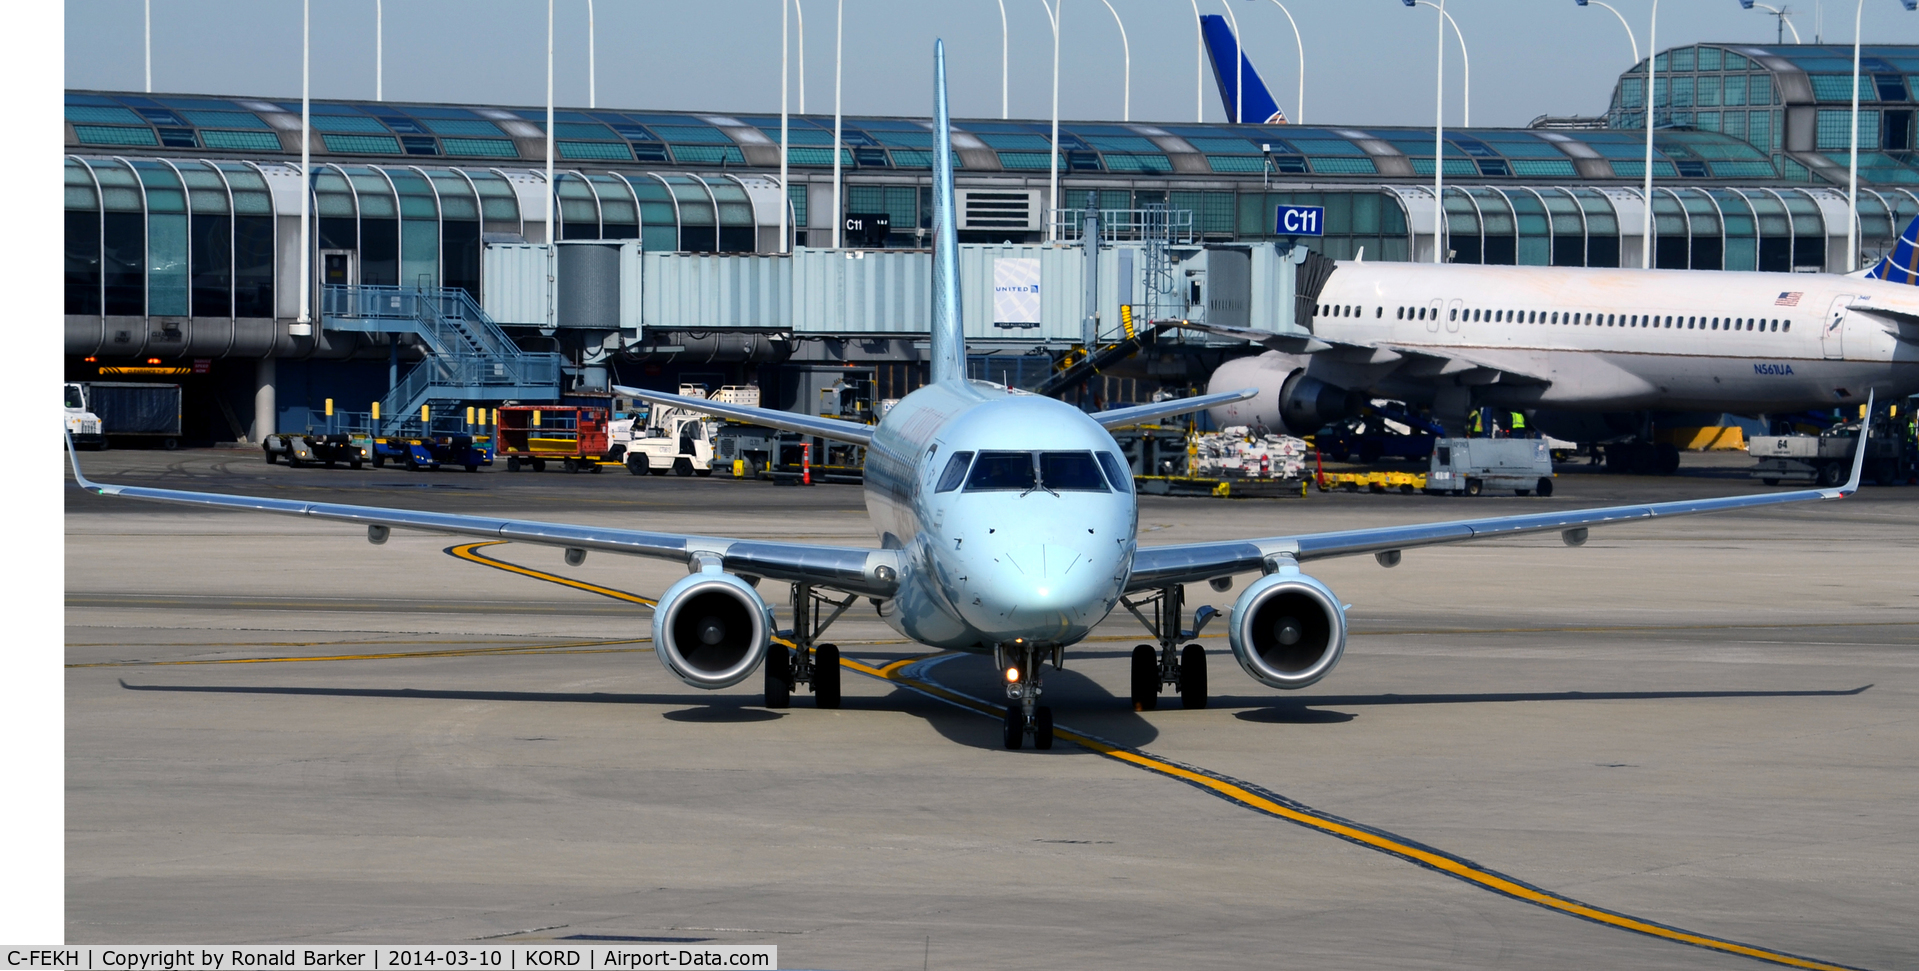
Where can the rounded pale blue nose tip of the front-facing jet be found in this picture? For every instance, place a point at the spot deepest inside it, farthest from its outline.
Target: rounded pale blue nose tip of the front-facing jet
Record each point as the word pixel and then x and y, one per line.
pixel 1041 592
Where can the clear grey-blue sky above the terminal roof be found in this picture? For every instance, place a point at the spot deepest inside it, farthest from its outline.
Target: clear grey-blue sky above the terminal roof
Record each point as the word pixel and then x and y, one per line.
pixel 1369 62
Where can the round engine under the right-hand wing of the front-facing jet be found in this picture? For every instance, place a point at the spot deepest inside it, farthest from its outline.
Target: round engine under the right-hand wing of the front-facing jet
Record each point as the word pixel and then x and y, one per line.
pixel 1287 630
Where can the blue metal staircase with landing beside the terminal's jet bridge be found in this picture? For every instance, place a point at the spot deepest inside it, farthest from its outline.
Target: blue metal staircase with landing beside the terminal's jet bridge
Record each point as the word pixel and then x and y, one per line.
pixel 469 358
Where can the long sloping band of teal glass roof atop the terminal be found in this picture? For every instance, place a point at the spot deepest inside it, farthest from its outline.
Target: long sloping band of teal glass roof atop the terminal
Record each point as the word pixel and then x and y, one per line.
pixel 118 122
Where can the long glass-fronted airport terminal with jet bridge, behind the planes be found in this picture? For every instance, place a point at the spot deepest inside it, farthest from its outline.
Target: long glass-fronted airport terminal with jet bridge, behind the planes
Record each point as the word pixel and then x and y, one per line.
pixel 183 239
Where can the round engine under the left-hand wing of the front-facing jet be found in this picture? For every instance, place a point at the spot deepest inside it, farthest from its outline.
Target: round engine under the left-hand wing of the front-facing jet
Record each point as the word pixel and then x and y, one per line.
pixel 711 630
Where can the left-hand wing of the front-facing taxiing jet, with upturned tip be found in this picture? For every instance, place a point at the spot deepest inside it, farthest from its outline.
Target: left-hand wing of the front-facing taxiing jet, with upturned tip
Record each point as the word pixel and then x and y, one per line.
pixel 870 573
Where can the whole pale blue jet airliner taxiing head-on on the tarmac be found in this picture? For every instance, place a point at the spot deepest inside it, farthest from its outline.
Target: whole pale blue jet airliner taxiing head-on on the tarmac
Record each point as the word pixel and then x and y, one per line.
pixel 1007 527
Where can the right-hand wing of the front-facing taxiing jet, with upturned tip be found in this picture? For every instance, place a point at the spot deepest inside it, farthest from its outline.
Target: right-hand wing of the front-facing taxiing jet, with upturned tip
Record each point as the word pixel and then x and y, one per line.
pixel 1158 567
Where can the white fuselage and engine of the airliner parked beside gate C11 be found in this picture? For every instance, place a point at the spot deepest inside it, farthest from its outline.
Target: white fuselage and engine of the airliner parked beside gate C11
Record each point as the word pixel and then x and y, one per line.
pixel 1598 341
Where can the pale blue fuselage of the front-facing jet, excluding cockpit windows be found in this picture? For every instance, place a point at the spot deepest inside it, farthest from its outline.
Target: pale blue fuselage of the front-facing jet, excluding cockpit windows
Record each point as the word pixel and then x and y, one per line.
pixel 989 569
